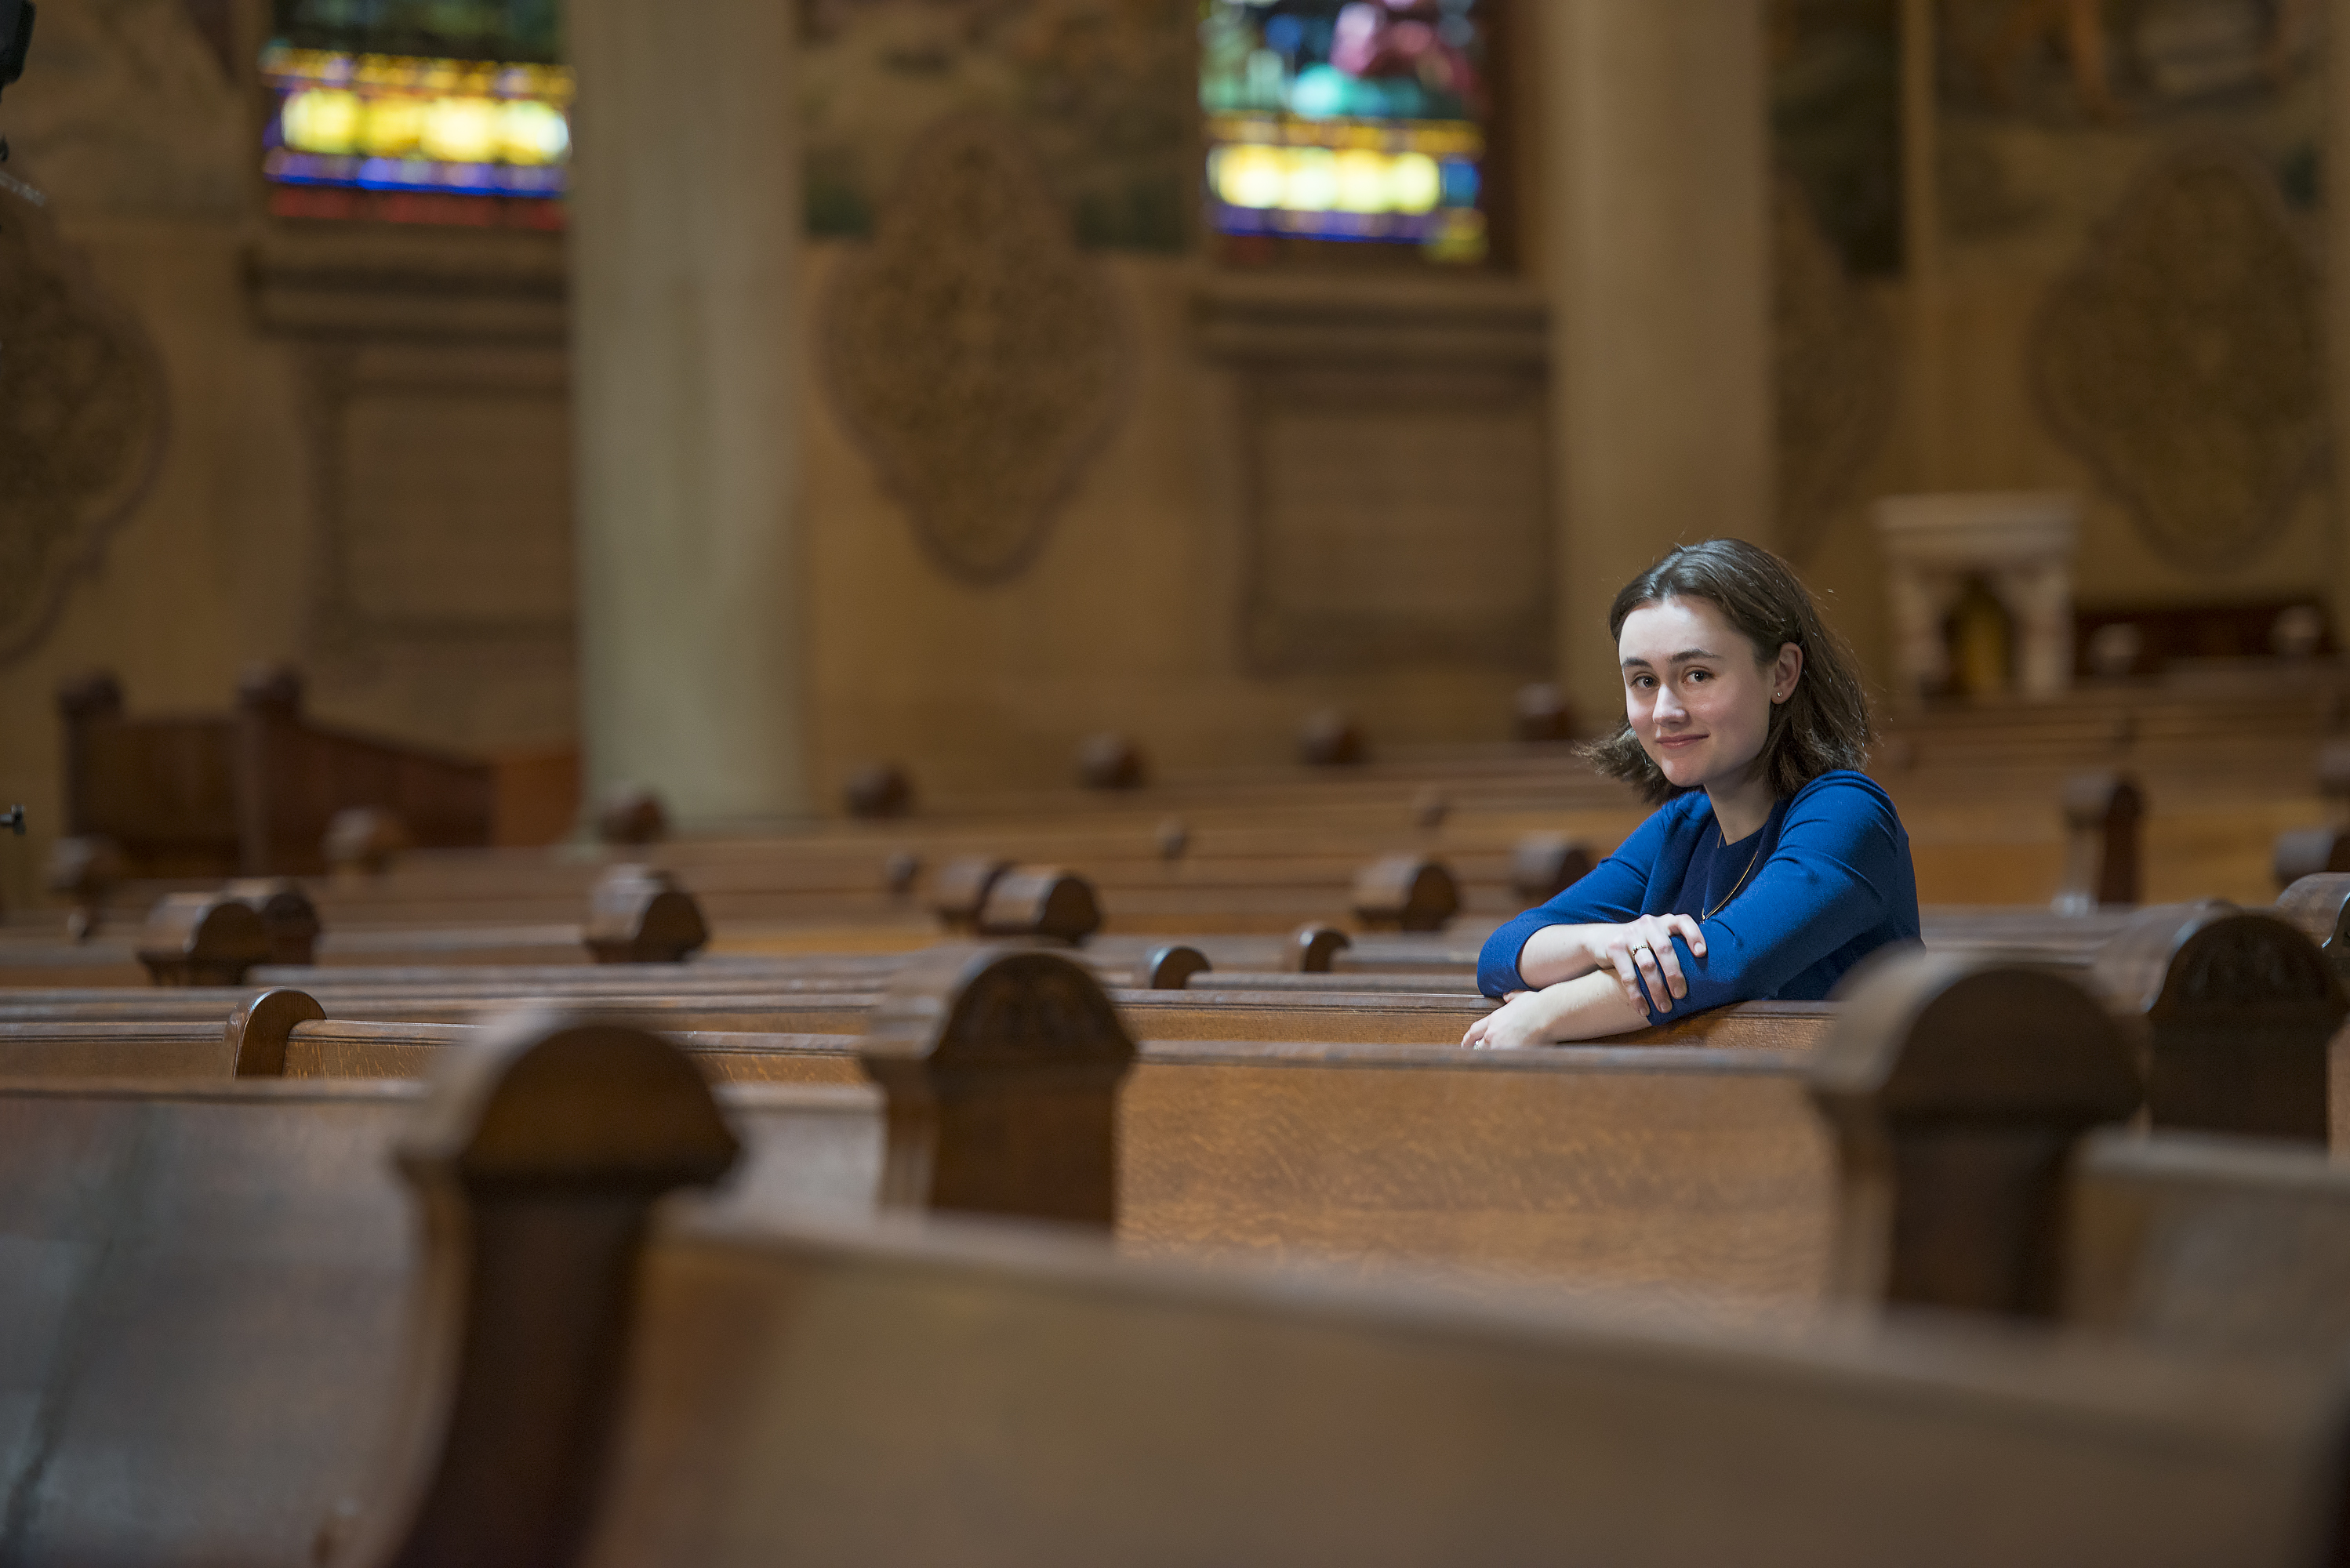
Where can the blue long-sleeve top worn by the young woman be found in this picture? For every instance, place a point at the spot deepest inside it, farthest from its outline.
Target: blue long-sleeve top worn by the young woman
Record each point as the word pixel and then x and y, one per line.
pixel 1832 883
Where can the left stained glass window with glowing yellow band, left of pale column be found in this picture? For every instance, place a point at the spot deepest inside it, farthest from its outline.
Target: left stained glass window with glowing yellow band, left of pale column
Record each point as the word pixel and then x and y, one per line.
pixel 417 112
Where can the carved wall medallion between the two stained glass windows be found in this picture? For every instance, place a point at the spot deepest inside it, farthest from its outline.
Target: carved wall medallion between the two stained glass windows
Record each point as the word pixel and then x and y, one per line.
pixel 972 351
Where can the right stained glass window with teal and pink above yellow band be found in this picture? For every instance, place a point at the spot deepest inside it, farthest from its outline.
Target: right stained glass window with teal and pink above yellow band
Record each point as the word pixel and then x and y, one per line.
pixel 1355 121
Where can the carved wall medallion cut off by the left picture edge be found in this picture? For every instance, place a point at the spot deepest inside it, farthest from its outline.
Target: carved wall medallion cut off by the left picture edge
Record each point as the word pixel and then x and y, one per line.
pixel 81 422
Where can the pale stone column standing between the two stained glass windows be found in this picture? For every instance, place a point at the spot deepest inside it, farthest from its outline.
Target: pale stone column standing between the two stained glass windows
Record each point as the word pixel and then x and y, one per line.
pixel 685 241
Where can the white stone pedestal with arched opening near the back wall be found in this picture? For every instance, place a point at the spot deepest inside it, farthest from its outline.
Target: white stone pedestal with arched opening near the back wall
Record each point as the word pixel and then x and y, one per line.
pixel 2017 544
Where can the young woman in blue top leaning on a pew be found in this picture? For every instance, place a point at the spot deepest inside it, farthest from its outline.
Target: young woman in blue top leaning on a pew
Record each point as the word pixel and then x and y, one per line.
pixel 1773 864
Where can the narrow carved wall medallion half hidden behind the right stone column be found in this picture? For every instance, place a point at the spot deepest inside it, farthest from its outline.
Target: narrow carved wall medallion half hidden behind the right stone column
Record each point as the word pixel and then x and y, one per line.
pixel 1834 375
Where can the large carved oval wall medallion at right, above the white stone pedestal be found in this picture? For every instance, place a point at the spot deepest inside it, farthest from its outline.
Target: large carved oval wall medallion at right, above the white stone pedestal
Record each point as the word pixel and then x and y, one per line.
pixel 2184 359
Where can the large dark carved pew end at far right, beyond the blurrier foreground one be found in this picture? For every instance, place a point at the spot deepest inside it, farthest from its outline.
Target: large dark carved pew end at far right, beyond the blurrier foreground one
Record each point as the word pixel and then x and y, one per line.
pixel 2238 1017
